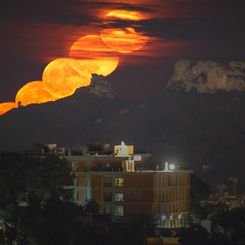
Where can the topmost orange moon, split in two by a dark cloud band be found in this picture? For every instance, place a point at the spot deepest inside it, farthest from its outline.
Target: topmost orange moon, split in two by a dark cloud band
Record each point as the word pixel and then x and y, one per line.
pixel 127 39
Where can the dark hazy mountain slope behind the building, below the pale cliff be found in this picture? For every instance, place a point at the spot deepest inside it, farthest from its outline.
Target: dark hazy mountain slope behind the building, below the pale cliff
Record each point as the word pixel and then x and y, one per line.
pixel 190 128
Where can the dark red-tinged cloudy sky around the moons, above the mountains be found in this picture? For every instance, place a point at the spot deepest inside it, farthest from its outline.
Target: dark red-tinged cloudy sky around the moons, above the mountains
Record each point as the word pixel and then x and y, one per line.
pixel 35 32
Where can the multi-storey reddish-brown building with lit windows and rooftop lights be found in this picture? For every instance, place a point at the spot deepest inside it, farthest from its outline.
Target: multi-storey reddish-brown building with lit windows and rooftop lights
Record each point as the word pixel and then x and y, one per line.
pixel 126 188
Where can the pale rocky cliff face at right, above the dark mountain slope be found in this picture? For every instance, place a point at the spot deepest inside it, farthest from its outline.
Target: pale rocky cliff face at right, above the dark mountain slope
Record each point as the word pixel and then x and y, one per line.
pixel 207 76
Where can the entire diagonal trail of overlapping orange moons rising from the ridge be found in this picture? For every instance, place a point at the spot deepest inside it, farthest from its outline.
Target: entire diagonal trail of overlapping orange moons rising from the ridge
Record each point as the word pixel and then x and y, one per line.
pixel 91 54
